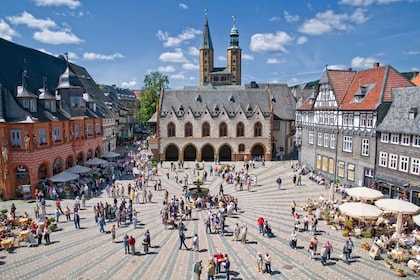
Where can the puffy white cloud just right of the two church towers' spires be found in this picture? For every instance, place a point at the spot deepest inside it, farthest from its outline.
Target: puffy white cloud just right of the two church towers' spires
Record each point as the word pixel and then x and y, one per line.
pixel 269 42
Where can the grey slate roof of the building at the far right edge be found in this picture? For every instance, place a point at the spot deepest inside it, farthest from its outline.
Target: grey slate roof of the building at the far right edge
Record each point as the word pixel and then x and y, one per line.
pixel 396 120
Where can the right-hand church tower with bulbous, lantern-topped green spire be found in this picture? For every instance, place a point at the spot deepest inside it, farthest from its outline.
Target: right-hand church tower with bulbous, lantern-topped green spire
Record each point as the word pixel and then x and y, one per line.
pixel 234 55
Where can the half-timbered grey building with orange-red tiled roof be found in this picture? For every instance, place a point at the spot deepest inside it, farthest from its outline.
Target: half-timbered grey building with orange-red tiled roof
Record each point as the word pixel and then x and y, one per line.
pixel 338 123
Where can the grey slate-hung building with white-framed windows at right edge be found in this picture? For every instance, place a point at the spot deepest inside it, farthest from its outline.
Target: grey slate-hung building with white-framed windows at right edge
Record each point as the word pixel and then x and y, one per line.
pixel 398 152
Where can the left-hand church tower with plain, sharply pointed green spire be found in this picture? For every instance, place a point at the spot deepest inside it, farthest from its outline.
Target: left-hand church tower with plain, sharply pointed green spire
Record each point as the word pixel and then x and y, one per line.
pixel 206 55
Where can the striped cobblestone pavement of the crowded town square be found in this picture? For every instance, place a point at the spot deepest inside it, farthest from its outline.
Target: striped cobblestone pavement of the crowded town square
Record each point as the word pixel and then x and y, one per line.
pixel 88 254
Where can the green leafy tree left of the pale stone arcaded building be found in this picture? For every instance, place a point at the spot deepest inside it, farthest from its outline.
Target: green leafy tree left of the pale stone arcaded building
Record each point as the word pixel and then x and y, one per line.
pixel 150 94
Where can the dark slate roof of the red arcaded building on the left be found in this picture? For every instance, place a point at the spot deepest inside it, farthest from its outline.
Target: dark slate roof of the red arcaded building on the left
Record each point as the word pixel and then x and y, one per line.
pixel 14 59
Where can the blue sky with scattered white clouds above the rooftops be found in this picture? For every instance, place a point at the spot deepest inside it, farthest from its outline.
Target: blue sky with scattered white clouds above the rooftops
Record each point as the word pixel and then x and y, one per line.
pixel 119 42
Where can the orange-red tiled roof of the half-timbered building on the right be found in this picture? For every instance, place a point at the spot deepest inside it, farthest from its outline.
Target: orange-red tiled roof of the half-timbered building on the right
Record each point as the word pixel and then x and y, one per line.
pixel 379 81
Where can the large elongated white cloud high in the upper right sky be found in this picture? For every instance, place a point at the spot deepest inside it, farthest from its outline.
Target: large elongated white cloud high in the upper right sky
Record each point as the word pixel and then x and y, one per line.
pixel 329 21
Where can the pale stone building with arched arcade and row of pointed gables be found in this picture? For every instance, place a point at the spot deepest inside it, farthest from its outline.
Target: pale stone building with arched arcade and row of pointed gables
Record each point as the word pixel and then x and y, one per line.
pixel 229 123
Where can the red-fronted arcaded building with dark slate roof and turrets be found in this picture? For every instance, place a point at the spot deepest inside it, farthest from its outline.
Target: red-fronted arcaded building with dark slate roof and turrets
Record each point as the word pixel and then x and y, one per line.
pixel 52 117
